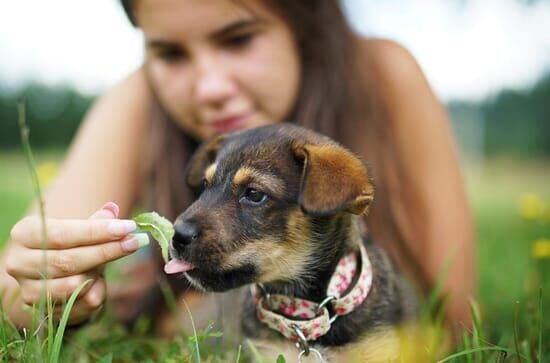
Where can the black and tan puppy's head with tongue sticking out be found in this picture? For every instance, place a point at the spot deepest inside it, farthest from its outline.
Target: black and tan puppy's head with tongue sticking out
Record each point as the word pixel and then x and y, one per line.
pixel 261 191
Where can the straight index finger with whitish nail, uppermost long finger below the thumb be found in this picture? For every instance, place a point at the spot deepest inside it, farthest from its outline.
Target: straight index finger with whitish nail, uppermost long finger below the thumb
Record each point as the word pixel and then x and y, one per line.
pixel 67 233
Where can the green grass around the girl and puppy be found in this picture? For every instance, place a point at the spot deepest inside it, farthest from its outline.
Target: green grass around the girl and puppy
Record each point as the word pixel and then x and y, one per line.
pixel 508 324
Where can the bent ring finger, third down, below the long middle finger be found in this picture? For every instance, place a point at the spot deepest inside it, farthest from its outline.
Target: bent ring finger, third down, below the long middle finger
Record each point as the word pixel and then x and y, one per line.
pixel 59 289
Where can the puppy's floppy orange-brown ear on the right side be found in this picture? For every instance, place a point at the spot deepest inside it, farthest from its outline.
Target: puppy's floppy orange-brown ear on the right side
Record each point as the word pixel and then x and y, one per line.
pixel 333 180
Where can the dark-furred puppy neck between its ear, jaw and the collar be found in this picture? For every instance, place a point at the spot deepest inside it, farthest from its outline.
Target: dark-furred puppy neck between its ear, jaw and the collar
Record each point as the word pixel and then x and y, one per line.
pixel 335 237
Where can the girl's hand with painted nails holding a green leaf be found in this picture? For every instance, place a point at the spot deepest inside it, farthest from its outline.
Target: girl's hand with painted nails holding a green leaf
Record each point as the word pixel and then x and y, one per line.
pixel 76 251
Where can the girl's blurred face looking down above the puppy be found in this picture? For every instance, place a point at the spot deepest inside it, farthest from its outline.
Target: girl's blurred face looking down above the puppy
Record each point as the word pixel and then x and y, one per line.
pixel 219 66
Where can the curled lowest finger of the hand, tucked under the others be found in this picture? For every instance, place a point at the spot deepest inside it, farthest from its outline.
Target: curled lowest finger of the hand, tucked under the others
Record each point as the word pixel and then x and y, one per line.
pixel 85 305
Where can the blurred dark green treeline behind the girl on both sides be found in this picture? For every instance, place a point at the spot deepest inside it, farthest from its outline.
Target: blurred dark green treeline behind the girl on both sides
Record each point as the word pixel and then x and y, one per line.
pixel 512 122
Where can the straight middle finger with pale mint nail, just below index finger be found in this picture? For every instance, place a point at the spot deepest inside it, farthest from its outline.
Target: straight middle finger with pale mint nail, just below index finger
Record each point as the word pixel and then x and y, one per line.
pixel 73 261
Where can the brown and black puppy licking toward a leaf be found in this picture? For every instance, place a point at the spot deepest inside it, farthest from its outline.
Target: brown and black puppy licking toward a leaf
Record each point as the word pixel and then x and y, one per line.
pixel 280 205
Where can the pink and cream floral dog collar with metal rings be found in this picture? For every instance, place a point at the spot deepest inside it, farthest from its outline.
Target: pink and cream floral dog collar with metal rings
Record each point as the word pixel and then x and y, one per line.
pixel 299 319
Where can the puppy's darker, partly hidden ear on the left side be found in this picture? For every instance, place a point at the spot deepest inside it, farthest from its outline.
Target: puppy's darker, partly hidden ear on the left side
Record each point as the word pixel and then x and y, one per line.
pixel 203 157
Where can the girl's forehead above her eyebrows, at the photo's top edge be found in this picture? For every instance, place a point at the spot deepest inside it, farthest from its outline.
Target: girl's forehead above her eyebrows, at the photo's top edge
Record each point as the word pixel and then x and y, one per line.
pixel 195 18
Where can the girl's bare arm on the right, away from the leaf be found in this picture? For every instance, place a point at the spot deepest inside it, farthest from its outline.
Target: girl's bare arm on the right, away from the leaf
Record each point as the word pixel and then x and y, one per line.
pixel 429 191
